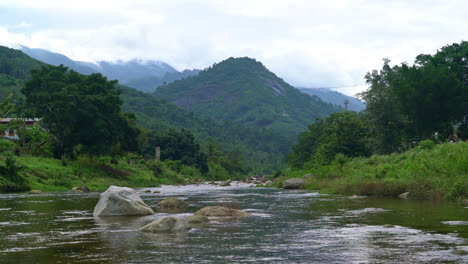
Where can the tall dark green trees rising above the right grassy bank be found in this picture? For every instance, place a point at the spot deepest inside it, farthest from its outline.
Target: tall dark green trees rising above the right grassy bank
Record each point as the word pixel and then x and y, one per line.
pixel 413 102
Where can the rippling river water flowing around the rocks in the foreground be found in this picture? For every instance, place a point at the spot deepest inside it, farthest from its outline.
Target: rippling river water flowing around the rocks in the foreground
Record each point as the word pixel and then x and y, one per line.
pixel 284 227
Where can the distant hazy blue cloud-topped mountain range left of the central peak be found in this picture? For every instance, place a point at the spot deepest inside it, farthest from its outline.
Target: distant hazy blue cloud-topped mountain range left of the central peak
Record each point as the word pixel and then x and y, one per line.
pixel 140 74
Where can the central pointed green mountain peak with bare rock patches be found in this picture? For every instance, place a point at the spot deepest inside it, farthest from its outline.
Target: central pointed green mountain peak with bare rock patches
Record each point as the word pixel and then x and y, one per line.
pixel 243 90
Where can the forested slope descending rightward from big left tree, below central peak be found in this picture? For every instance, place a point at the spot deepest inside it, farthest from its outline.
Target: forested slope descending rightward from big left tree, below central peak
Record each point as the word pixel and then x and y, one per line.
pixel 262 149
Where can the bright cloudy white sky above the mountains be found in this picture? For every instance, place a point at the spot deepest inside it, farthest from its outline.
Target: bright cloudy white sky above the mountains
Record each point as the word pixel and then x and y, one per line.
pixel 313 44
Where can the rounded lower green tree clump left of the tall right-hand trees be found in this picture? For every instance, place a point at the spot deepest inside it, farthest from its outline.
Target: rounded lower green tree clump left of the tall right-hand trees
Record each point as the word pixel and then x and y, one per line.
pixel 344 133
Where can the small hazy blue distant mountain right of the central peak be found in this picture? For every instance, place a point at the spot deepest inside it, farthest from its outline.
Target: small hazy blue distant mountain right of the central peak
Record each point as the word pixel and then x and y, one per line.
pixel 335 98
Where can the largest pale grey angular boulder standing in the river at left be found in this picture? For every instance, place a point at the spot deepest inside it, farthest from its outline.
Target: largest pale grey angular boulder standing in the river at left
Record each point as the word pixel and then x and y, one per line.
pixel 121 201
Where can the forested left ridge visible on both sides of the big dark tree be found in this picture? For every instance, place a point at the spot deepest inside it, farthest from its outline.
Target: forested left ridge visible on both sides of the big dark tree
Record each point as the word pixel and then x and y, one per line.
pixel 262 149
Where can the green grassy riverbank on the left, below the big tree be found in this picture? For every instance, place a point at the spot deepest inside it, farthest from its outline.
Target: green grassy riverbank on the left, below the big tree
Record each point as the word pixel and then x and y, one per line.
pixel 48 174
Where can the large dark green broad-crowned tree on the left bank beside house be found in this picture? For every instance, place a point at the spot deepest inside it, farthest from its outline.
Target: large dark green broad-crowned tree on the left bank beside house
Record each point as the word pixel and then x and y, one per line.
pixel 77 109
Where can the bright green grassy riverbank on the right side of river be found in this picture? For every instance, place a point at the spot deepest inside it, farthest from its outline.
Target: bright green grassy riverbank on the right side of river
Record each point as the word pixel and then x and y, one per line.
pixel 428 172
